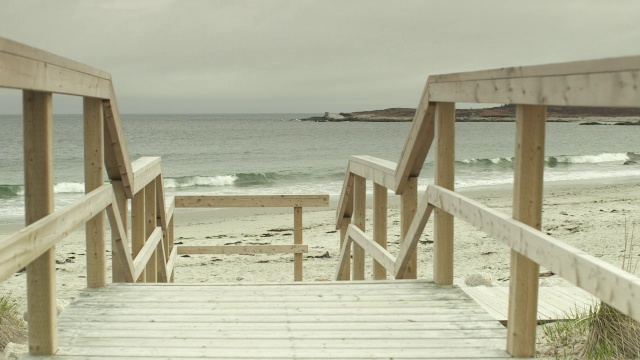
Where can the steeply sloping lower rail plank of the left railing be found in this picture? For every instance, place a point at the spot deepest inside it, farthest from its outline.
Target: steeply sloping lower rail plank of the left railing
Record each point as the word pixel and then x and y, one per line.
pixel 120 242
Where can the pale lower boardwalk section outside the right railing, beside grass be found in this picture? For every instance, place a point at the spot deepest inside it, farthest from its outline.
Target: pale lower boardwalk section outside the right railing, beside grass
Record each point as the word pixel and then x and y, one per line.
pixel 554 303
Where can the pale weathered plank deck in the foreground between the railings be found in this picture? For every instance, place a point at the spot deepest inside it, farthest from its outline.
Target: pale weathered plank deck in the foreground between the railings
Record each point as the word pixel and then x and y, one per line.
pixel 406 319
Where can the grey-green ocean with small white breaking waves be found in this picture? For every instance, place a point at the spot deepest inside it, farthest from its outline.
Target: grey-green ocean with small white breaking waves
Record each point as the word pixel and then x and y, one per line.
pixel 277 153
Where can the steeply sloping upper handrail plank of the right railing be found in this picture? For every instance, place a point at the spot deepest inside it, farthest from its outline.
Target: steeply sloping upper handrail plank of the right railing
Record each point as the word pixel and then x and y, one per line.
pixel 418 143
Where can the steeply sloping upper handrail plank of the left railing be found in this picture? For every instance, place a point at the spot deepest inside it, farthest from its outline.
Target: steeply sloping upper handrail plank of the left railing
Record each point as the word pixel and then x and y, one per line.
pixel 116 145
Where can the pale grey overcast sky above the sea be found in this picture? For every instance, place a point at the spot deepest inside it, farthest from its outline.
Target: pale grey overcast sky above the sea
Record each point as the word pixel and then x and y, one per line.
pixel 305 56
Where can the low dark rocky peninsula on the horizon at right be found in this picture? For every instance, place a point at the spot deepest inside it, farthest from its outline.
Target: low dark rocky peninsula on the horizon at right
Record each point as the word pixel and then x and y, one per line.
pixel 504 113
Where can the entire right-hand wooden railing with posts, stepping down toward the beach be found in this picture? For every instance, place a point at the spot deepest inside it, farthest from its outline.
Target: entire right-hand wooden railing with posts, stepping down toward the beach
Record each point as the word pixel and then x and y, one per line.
pixel 609 82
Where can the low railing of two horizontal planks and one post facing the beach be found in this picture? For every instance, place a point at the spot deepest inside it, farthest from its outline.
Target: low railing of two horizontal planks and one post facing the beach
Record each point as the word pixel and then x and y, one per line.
pixel 297 202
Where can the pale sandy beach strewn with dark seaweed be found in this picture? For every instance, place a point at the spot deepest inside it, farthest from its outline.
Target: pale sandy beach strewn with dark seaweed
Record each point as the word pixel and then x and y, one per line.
pixel 591 217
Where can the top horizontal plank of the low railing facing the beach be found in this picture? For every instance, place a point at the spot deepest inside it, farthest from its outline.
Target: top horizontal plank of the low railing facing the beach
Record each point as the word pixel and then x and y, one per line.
pixel 218 201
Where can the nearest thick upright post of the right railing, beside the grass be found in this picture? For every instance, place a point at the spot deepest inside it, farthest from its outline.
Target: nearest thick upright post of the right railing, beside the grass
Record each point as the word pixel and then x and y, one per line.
pixel 527 208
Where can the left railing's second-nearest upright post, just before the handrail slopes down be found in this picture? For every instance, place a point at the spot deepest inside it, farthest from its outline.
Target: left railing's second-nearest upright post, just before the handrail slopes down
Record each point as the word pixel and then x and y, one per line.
pixel 93 179
